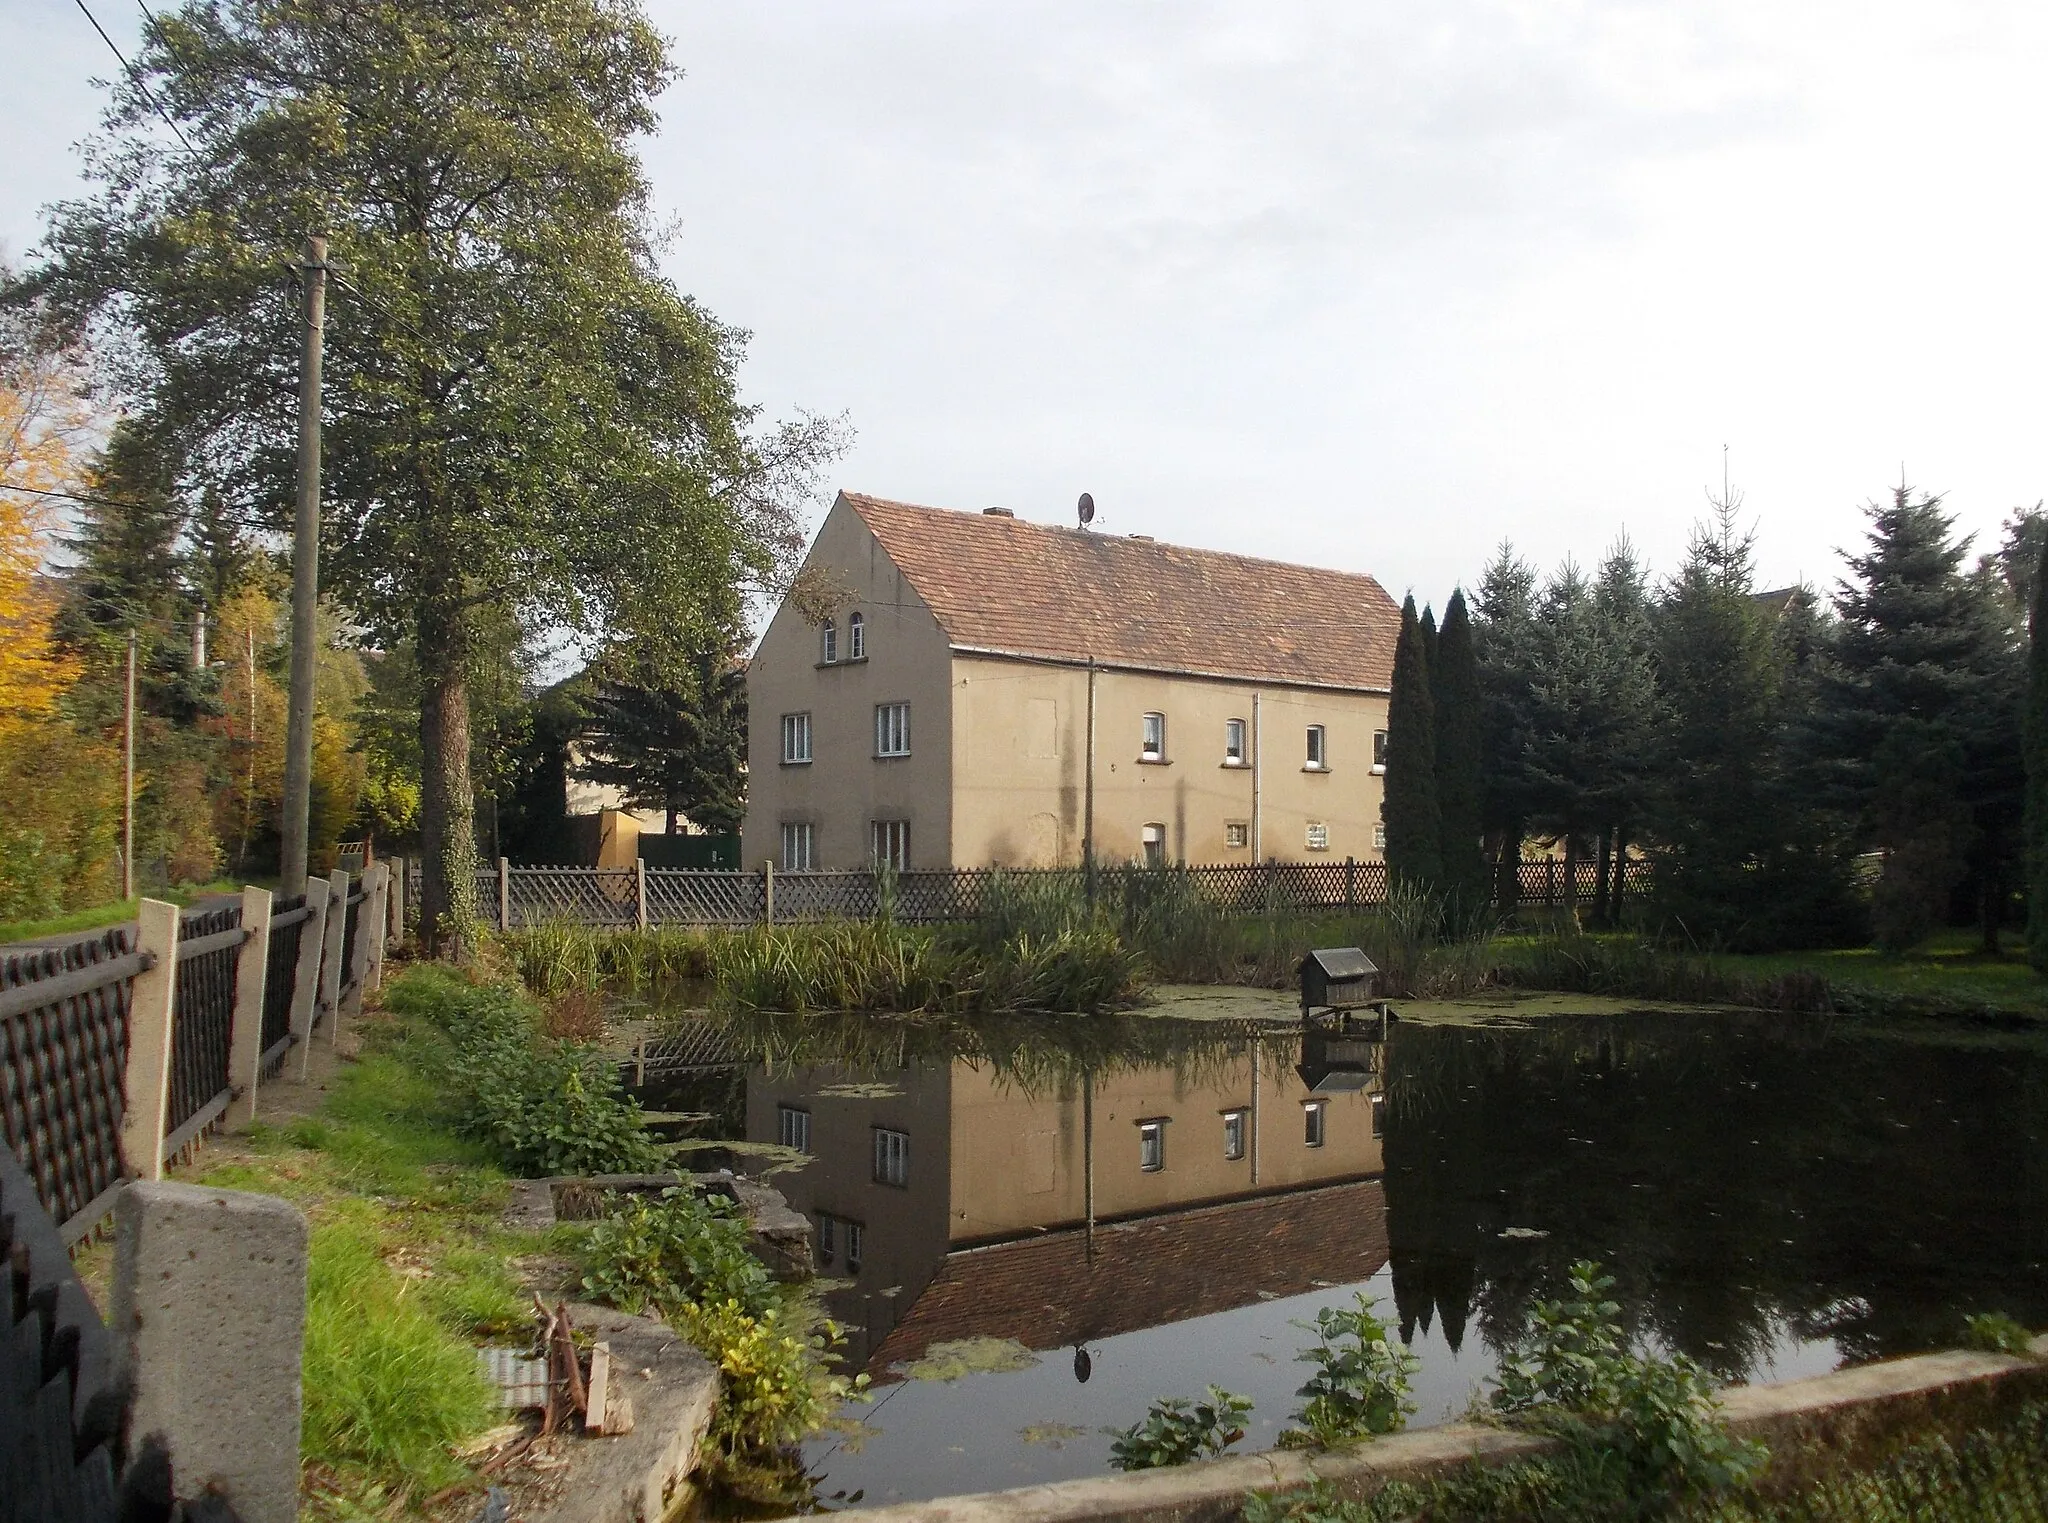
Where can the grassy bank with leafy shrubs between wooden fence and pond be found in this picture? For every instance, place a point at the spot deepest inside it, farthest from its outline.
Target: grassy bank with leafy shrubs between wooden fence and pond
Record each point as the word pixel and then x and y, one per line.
pixel 404 1176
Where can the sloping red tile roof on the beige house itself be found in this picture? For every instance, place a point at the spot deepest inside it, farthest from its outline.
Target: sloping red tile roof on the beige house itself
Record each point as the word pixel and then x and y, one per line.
pixel 1021 589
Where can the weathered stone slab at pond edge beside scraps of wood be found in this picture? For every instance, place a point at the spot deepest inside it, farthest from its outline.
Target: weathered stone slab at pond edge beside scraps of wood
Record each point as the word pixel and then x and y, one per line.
pixel 638 1477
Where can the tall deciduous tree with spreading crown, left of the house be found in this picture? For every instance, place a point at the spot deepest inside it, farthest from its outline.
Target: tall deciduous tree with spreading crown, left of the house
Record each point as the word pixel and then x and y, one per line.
pixel 525 417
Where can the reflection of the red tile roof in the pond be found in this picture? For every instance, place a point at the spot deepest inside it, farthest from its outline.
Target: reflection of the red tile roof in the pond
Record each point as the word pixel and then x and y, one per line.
pixel 1048 1293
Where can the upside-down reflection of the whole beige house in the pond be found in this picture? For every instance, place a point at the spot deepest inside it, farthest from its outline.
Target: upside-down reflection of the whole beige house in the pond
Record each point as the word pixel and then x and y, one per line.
pixel 962 1205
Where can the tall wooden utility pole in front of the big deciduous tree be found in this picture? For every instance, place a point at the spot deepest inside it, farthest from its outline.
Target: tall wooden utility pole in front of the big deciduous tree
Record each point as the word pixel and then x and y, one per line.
pixel 304 580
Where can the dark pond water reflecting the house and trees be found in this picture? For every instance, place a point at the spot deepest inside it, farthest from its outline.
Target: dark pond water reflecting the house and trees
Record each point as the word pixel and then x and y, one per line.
pixel 1078 1217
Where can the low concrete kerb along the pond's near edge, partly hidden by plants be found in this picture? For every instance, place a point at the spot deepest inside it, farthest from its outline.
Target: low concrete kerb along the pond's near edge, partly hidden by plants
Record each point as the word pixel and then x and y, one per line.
pixel 1828 1420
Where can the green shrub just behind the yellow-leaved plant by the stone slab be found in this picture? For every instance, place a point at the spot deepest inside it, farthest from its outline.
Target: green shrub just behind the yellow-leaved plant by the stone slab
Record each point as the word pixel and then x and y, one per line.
pixel 673 1250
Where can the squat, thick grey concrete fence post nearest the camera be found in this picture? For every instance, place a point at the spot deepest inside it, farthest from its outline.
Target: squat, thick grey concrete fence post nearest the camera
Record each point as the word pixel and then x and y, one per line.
pixel 208 1325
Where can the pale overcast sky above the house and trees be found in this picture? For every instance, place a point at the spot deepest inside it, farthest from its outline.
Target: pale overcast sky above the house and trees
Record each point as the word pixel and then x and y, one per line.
pixel 1357 284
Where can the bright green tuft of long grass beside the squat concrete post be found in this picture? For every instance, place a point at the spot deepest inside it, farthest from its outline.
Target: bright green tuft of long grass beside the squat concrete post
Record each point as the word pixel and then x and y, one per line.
pixel 386 1385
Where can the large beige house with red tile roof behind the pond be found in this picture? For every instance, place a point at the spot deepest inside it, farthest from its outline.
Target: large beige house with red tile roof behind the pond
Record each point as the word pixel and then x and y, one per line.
pixel 970 691
